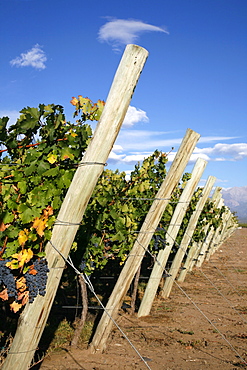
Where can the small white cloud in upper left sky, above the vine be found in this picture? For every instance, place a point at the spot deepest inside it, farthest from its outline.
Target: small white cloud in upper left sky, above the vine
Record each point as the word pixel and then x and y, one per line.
pixel 35 58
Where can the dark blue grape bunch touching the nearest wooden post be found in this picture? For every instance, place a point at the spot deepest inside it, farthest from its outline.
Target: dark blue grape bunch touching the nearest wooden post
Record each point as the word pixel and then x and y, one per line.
pixel 36 284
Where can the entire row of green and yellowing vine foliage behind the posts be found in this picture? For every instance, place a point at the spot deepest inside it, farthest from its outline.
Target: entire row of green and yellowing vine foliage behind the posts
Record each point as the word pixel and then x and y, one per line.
pixel 38 159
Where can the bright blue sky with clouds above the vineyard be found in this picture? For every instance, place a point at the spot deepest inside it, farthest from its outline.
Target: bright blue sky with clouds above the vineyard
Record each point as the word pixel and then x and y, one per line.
pixel 195 76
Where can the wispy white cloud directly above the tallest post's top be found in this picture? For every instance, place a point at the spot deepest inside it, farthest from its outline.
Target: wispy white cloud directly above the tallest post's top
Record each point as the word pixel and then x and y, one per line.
pixel 119 32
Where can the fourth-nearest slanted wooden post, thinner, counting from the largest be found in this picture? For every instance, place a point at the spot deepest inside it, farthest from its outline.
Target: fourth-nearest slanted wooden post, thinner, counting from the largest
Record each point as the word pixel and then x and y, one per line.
pixel 187 238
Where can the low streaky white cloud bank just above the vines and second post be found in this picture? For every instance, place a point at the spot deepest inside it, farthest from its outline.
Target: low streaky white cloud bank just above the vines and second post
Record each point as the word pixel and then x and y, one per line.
pixel 135 145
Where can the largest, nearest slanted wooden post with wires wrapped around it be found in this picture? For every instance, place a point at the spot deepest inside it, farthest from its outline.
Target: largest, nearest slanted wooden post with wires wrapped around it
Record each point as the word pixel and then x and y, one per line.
pixel 33 319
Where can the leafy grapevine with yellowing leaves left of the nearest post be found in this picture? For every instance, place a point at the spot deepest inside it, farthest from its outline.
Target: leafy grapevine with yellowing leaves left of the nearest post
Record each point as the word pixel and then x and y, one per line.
pixel 39 156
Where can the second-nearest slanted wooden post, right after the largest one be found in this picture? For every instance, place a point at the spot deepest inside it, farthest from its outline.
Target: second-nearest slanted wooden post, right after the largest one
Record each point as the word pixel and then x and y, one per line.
pixel 141 244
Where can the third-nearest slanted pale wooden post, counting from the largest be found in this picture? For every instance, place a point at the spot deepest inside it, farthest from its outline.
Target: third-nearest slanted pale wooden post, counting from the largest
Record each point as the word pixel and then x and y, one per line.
pixel 171 234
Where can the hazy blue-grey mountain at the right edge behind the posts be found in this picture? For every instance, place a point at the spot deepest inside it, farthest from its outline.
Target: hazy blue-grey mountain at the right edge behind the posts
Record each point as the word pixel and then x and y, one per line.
pixel 236 199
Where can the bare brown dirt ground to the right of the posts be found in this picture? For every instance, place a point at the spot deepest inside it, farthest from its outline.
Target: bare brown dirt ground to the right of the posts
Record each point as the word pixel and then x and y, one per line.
pixel 177 335
